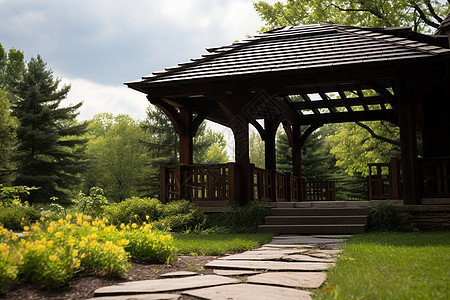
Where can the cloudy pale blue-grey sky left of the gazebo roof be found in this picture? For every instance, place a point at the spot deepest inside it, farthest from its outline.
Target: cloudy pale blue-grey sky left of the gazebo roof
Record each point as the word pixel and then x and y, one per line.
pixel 97 45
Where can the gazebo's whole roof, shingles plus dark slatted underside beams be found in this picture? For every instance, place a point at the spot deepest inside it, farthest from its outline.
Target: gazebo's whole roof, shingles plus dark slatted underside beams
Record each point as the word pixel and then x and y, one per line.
pixel 323 73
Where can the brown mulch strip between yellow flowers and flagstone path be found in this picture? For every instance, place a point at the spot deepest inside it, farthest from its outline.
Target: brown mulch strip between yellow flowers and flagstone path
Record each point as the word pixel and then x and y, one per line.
pixel 83 287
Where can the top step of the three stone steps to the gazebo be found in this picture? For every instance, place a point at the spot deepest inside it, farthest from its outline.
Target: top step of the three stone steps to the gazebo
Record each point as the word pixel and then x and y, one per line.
pixel 336 211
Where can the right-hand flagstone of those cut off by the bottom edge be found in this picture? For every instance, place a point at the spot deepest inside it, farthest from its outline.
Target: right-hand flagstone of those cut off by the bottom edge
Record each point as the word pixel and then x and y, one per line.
pixel 249 292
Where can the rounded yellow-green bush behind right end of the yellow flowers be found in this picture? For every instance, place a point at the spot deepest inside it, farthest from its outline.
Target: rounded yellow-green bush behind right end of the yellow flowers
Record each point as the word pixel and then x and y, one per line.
pixel 133 210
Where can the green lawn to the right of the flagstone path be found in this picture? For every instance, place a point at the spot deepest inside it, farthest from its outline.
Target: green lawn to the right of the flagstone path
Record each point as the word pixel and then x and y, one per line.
pixel 391 266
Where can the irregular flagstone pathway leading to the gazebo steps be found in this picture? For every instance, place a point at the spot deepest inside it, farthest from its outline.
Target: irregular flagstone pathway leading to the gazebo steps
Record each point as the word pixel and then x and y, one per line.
pixel 289 267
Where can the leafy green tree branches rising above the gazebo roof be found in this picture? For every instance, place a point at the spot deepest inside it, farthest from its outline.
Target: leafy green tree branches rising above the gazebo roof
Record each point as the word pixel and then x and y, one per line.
pixel 419 14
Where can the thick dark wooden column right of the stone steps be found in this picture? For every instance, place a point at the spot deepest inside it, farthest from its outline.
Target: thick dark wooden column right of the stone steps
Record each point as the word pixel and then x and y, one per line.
pixel 408 141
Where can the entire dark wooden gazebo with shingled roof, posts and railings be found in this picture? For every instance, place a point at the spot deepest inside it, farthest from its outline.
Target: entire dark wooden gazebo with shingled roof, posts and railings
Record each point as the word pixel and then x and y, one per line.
pixel 308 76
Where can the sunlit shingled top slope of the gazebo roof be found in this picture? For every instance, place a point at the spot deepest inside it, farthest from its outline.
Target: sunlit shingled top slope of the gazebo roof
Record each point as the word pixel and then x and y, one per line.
pixel 301 47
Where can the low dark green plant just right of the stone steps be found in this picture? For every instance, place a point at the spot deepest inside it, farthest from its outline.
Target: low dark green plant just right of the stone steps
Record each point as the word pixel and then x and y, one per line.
pixel 386 217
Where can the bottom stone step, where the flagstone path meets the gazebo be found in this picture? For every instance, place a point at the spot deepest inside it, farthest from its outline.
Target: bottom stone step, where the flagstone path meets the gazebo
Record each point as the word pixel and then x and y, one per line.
pixel 314 229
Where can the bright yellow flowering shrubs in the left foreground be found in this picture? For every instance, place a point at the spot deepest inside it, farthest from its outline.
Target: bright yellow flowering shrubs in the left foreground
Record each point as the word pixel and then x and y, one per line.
pixel 52 252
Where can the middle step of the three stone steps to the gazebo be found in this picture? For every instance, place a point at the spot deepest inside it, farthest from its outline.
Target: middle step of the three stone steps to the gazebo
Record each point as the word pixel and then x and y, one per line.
pixel 316 220
